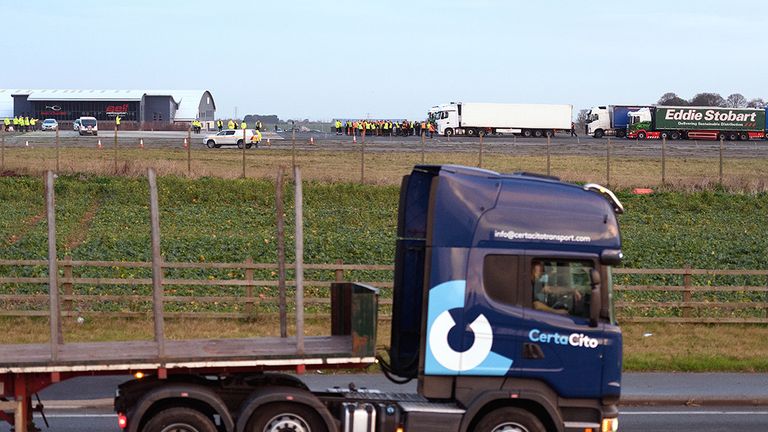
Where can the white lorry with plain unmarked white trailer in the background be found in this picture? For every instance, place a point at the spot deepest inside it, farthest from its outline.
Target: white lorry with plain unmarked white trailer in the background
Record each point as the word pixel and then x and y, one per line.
pixel 529 120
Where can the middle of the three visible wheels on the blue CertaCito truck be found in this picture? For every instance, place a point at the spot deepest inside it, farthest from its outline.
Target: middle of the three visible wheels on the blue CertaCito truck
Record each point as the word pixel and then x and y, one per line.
pixel 278 417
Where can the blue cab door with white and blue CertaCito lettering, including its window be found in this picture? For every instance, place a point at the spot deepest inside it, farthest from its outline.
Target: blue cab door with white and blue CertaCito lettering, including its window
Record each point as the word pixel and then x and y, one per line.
pixel 558 344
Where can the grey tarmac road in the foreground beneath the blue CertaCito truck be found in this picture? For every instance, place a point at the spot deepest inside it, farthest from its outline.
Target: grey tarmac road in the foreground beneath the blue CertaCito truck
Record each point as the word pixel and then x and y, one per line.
pixel 681 402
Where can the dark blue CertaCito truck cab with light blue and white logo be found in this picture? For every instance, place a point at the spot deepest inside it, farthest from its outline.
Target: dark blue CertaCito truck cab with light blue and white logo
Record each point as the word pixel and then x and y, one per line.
pixel 503 299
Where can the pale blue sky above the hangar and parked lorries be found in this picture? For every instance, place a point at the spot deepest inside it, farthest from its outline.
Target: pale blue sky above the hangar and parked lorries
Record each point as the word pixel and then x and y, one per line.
pixel 389 59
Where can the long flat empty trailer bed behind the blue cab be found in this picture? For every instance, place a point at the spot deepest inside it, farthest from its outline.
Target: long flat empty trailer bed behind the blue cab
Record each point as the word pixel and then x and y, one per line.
pixel 268 352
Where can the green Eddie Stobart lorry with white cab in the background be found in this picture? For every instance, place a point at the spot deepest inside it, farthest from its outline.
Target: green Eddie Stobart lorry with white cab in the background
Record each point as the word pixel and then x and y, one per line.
pixel 704 123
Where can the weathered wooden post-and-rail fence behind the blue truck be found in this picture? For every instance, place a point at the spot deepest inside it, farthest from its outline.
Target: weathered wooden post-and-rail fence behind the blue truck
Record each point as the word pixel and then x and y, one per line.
pixel 680 304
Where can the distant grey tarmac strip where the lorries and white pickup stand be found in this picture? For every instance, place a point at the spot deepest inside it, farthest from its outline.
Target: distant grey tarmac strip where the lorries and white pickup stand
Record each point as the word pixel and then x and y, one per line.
pixel 560 144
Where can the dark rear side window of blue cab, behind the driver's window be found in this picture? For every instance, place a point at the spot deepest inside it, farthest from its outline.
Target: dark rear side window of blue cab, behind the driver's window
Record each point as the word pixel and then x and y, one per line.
pixel 501 274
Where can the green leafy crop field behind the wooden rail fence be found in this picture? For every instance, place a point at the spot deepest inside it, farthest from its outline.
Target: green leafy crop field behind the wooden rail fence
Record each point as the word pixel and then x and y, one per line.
pixel 220 220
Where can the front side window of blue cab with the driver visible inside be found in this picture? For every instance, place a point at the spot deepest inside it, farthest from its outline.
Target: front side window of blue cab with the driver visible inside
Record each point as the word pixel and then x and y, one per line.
pixel 561 286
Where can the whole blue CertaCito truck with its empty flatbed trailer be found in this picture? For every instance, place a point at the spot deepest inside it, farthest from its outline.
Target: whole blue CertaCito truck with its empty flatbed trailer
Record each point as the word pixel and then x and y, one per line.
pixel 502 310
